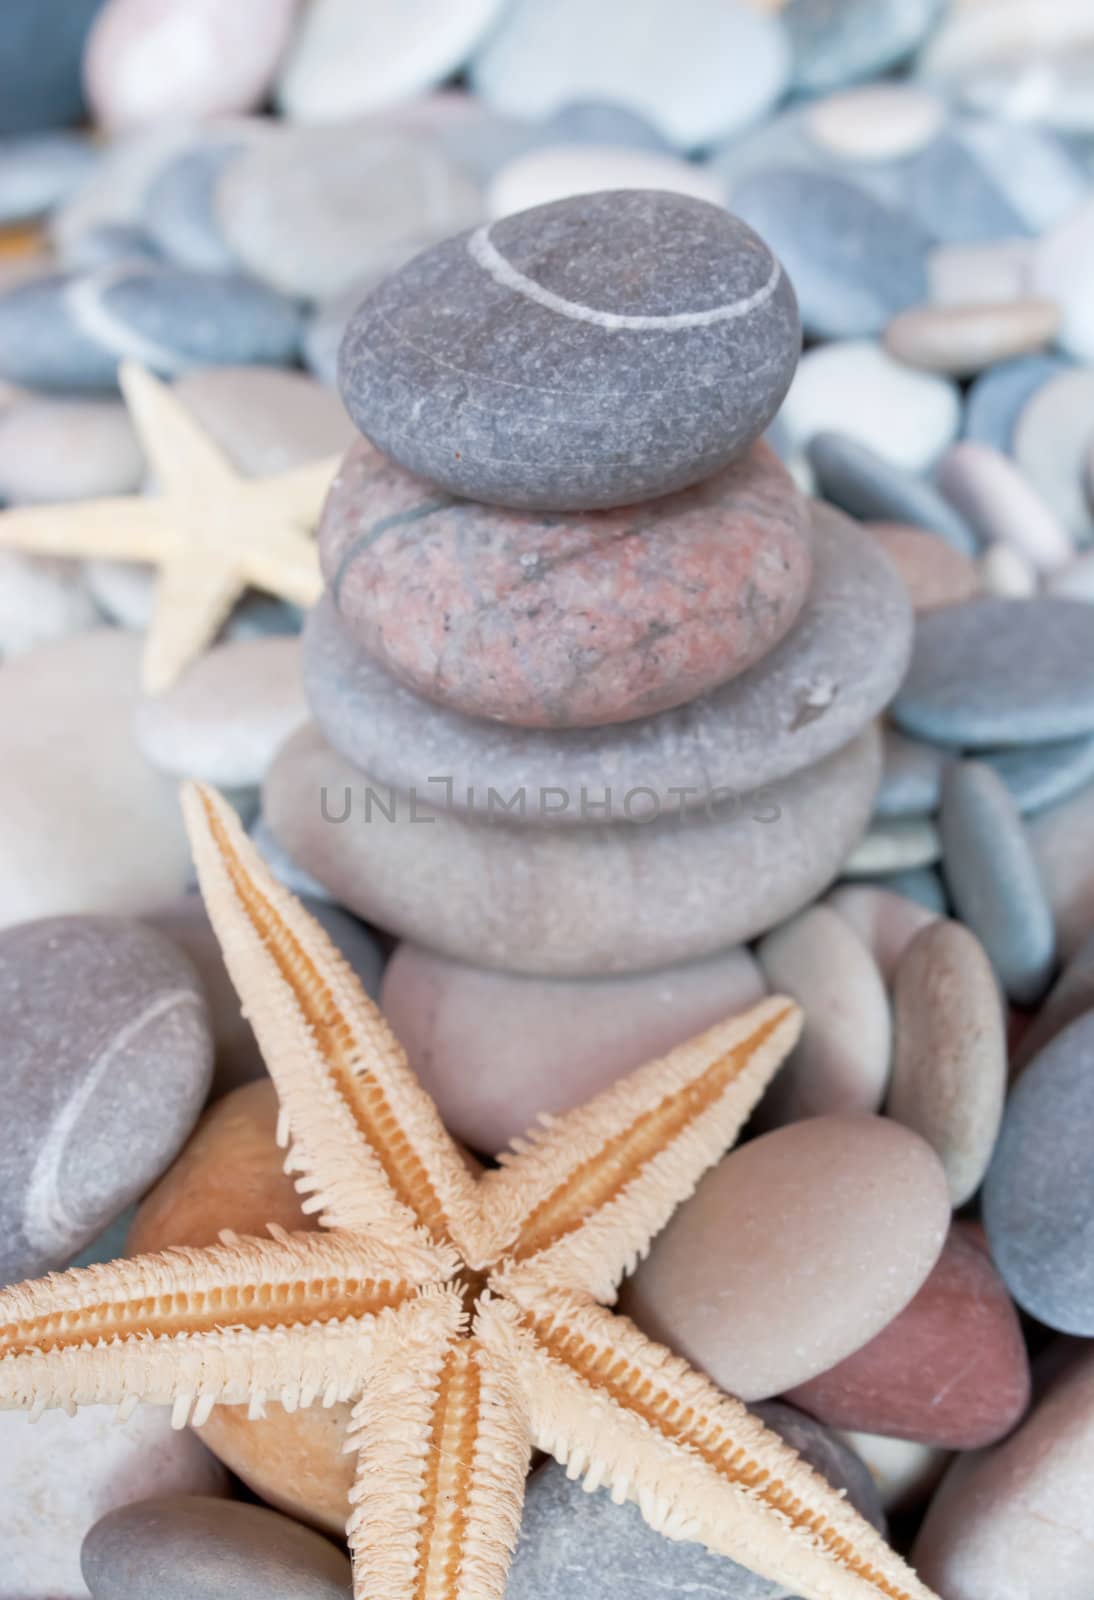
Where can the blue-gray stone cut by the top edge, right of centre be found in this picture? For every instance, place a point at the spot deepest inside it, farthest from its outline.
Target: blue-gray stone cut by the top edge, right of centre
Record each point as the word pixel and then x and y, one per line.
pixel 837 42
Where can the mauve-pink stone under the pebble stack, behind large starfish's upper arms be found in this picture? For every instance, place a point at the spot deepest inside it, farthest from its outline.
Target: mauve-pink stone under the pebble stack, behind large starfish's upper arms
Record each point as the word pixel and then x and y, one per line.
pixel 495 1050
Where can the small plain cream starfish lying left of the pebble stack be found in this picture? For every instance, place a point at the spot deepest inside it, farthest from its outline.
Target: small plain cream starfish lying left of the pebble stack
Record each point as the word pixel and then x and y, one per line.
pixel 210 532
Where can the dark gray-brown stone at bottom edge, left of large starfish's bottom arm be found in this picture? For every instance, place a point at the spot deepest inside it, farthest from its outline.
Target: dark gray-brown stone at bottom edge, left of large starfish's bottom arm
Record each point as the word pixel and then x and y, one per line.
pixel 222 1550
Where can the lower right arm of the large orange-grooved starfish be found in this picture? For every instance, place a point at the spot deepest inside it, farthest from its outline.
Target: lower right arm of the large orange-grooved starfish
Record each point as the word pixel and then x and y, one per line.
pixel 629 1415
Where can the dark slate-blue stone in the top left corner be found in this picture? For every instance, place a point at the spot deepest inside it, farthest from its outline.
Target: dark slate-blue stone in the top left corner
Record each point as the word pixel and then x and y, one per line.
pixel 41 54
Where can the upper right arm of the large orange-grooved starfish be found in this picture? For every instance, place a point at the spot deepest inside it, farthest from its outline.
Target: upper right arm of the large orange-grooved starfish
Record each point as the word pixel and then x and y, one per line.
pixel 585 1196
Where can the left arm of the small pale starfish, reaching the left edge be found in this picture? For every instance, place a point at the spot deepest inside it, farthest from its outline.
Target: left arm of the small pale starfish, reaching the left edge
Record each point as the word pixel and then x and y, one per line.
pixel 129 529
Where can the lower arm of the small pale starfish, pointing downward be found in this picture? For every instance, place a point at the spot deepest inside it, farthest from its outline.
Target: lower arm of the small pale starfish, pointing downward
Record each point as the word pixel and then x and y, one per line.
pixel 194 596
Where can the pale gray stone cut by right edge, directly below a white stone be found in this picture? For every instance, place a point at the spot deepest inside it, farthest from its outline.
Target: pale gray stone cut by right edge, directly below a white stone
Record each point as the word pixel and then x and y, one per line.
pixel 1052 439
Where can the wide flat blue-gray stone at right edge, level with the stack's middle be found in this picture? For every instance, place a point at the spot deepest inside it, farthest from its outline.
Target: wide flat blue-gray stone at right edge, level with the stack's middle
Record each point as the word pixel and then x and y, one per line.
pixel 1000 673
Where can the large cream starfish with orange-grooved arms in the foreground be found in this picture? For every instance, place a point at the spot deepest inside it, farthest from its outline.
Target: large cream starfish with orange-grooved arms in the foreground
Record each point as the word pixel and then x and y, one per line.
pixel 465 1318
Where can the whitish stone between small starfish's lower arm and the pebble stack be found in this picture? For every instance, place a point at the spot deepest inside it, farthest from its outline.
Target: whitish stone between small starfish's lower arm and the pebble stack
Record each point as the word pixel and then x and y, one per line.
pixel 230 713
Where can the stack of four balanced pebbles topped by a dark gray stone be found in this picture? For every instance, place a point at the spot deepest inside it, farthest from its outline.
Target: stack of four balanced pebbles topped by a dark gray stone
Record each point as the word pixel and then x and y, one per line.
pixel 594 686
